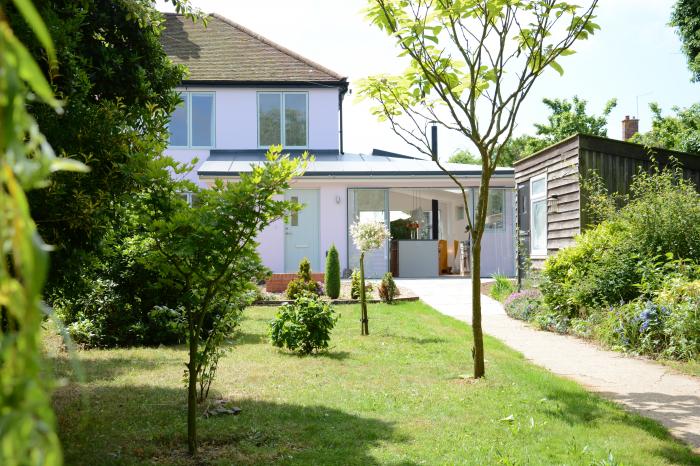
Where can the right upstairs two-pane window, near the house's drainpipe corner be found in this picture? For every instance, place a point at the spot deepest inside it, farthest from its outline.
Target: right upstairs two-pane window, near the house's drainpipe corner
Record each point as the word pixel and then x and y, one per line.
pixel 283 119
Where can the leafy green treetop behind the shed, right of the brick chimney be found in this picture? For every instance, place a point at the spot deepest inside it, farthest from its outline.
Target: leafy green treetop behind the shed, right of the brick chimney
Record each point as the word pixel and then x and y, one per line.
pixel 679 132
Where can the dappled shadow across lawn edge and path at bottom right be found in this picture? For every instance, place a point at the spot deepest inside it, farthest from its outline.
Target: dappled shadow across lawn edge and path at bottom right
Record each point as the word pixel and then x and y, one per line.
pixel 584 408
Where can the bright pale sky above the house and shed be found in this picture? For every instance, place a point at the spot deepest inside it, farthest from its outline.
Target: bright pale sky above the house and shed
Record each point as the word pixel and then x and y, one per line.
pixel 635 57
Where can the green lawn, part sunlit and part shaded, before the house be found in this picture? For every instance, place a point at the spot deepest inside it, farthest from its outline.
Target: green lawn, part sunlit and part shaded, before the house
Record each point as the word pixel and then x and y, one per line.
pixel 395 397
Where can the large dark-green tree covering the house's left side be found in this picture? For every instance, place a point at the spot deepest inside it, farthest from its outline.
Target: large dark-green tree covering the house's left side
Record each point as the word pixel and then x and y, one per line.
pixel 118 86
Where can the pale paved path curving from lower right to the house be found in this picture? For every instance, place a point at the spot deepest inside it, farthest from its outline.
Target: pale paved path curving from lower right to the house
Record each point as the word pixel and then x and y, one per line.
pixel 646 387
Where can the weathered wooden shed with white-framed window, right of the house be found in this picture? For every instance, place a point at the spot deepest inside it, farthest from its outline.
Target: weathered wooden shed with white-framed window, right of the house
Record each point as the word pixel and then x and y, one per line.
pixel 549 197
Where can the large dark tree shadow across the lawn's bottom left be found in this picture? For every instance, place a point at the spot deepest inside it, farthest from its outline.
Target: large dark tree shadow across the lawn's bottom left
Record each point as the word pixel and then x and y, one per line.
pixel 142 424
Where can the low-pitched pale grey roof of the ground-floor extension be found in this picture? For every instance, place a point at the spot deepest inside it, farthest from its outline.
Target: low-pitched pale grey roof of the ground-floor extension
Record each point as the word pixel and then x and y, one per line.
pixel 329 163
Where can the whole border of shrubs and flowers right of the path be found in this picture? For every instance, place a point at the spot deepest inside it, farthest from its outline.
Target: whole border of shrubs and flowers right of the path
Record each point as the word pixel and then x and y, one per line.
pixel 630 282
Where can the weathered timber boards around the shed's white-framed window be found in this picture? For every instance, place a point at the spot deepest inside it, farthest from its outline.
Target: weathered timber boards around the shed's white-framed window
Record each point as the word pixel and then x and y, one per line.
pixel 561 164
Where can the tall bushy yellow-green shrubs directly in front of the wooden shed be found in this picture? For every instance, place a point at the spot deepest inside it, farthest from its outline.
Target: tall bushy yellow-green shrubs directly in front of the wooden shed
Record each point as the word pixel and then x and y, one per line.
pixel 633 252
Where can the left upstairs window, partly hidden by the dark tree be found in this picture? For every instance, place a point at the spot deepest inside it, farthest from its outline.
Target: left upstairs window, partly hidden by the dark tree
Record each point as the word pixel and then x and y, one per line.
pixel 193 121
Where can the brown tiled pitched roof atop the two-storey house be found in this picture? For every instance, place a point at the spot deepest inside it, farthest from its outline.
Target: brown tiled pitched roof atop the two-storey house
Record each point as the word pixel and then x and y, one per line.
pixel 228 52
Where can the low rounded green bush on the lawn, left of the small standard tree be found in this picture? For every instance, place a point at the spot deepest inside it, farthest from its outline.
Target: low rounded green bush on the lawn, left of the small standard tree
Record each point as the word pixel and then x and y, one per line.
pixel 303 326
